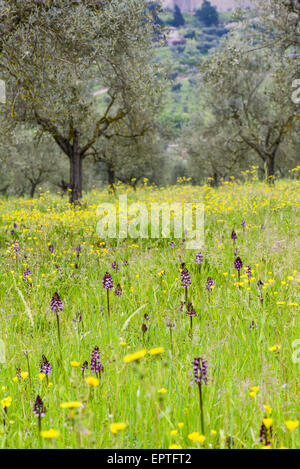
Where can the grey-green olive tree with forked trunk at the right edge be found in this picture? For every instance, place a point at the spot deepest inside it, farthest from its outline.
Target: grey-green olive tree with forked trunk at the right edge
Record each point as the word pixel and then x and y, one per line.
pixel 248 82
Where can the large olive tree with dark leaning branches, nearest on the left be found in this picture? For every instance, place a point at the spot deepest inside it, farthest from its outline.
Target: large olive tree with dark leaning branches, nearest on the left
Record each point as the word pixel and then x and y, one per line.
pixel 77 69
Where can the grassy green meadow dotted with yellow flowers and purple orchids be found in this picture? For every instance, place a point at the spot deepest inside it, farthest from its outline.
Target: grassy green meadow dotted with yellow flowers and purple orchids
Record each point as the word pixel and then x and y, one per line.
pixel 140 343
